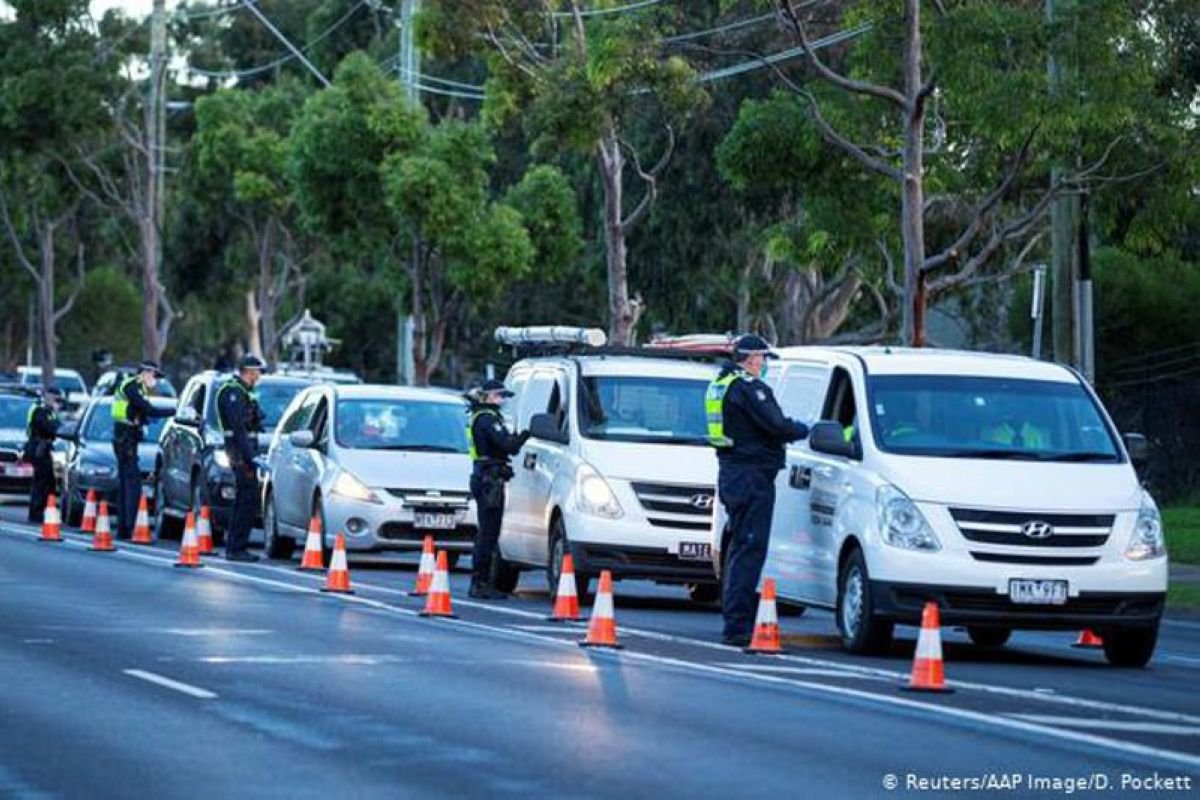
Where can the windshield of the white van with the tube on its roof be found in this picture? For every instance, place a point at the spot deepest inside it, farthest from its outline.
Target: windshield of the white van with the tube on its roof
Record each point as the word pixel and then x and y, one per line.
pixel 663 411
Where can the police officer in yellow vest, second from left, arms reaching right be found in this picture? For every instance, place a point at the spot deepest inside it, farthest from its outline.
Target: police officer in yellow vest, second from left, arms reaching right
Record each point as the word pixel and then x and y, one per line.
pixel 131 411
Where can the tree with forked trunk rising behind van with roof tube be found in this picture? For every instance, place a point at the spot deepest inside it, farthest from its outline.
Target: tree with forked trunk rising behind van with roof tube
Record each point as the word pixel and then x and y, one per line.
pixel 575 80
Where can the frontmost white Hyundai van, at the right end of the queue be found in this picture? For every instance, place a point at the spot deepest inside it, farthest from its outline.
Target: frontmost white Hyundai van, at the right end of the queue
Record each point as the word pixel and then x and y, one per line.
pixel 997 486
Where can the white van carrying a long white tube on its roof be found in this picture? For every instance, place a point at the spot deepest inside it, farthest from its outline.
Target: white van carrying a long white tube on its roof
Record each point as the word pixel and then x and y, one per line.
pixel 619 472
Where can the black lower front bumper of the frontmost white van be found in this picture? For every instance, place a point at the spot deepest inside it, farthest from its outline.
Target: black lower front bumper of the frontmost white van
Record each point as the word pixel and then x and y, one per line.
pixel 903 603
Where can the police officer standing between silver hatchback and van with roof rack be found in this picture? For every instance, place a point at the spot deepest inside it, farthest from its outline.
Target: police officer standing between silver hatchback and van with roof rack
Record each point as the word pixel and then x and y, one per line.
pixel 491 447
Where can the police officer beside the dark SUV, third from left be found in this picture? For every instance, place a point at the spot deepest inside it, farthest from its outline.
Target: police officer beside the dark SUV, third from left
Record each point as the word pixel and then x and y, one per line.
pixel 241 419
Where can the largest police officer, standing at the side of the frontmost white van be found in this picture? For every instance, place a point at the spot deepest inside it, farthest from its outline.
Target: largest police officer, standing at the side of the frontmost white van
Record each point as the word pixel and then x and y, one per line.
pixel 749 431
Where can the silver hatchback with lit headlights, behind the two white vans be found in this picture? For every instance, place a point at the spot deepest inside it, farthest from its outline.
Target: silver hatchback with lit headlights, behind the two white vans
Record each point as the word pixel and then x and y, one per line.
pixel 387 466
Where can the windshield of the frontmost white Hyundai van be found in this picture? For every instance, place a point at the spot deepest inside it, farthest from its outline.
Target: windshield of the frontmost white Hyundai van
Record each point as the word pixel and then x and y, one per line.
pixel 958 417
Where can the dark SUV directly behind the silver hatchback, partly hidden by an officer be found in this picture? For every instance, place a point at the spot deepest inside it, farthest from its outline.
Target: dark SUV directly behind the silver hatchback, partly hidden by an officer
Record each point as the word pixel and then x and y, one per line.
pixel 193 468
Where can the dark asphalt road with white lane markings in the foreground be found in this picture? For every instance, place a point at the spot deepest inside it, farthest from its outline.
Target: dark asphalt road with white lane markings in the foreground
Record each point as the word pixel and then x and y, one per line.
pixel 124 677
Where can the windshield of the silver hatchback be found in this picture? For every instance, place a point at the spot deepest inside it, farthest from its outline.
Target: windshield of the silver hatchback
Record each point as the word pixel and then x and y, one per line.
pixel 401 425
